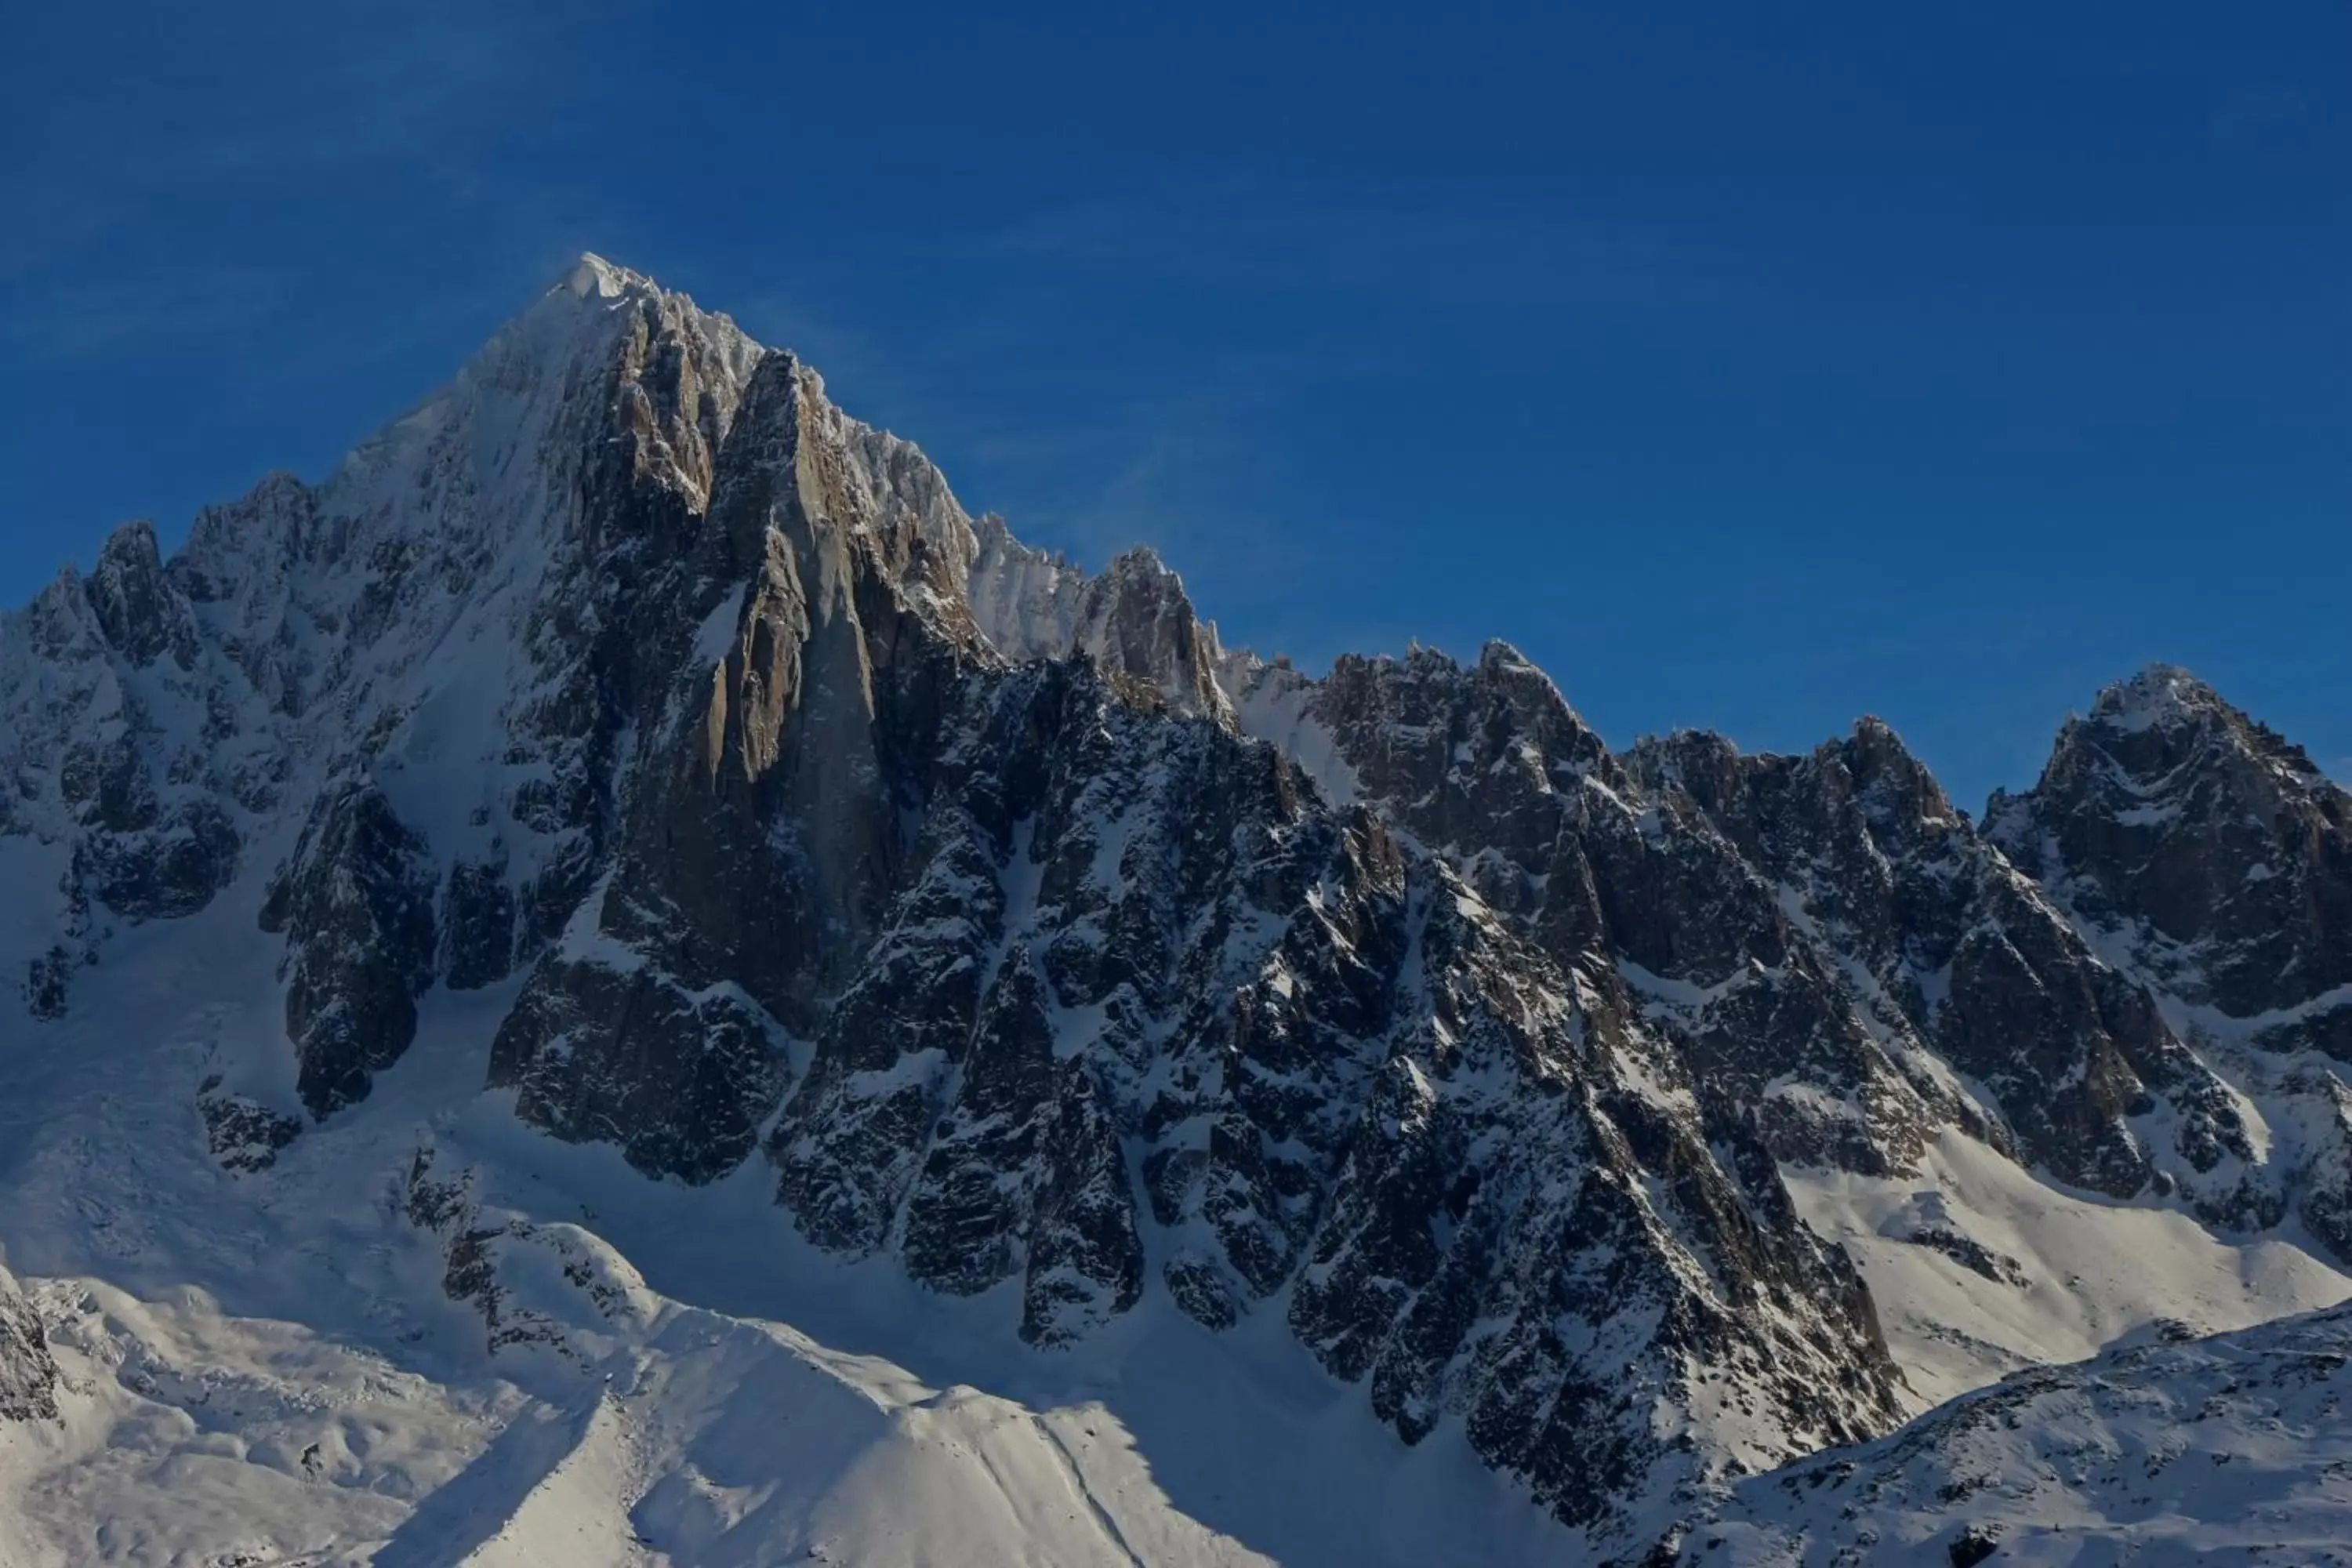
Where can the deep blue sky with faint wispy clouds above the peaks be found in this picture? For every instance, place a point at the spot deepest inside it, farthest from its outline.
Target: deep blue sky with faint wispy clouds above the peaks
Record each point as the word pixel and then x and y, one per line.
pixel 1746 366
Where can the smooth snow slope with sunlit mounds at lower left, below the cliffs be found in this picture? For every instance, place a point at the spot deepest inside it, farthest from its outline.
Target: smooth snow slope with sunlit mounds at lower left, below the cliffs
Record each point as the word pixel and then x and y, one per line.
pixel 272 1367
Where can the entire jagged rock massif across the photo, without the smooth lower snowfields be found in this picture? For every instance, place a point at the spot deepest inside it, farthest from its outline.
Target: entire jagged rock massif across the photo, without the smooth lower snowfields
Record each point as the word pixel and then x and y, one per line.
pixel 1024 934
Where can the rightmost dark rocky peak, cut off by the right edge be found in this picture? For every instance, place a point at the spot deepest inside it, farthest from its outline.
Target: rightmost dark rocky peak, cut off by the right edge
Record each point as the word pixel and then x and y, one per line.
pixel 2212 864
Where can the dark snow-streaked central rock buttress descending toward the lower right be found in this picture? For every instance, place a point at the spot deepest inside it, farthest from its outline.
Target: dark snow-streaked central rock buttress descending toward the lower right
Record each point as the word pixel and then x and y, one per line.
pixel 1337 1073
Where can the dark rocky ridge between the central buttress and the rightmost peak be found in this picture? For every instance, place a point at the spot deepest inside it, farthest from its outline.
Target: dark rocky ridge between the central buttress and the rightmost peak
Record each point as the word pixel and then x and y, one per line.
pixel 1826 939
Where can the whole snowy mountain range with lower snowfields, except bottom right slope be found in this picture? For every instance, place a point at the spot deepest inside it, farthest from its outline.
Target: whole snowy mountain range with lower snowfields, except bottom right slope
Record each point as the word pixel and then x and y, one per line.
pixel 627 864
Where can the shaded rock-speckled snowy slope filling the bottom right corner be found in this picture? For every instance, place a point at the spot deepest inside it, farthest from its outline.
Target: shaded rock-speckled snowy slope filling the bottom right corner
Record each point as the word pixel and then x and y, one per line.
pixel 2233 1449
